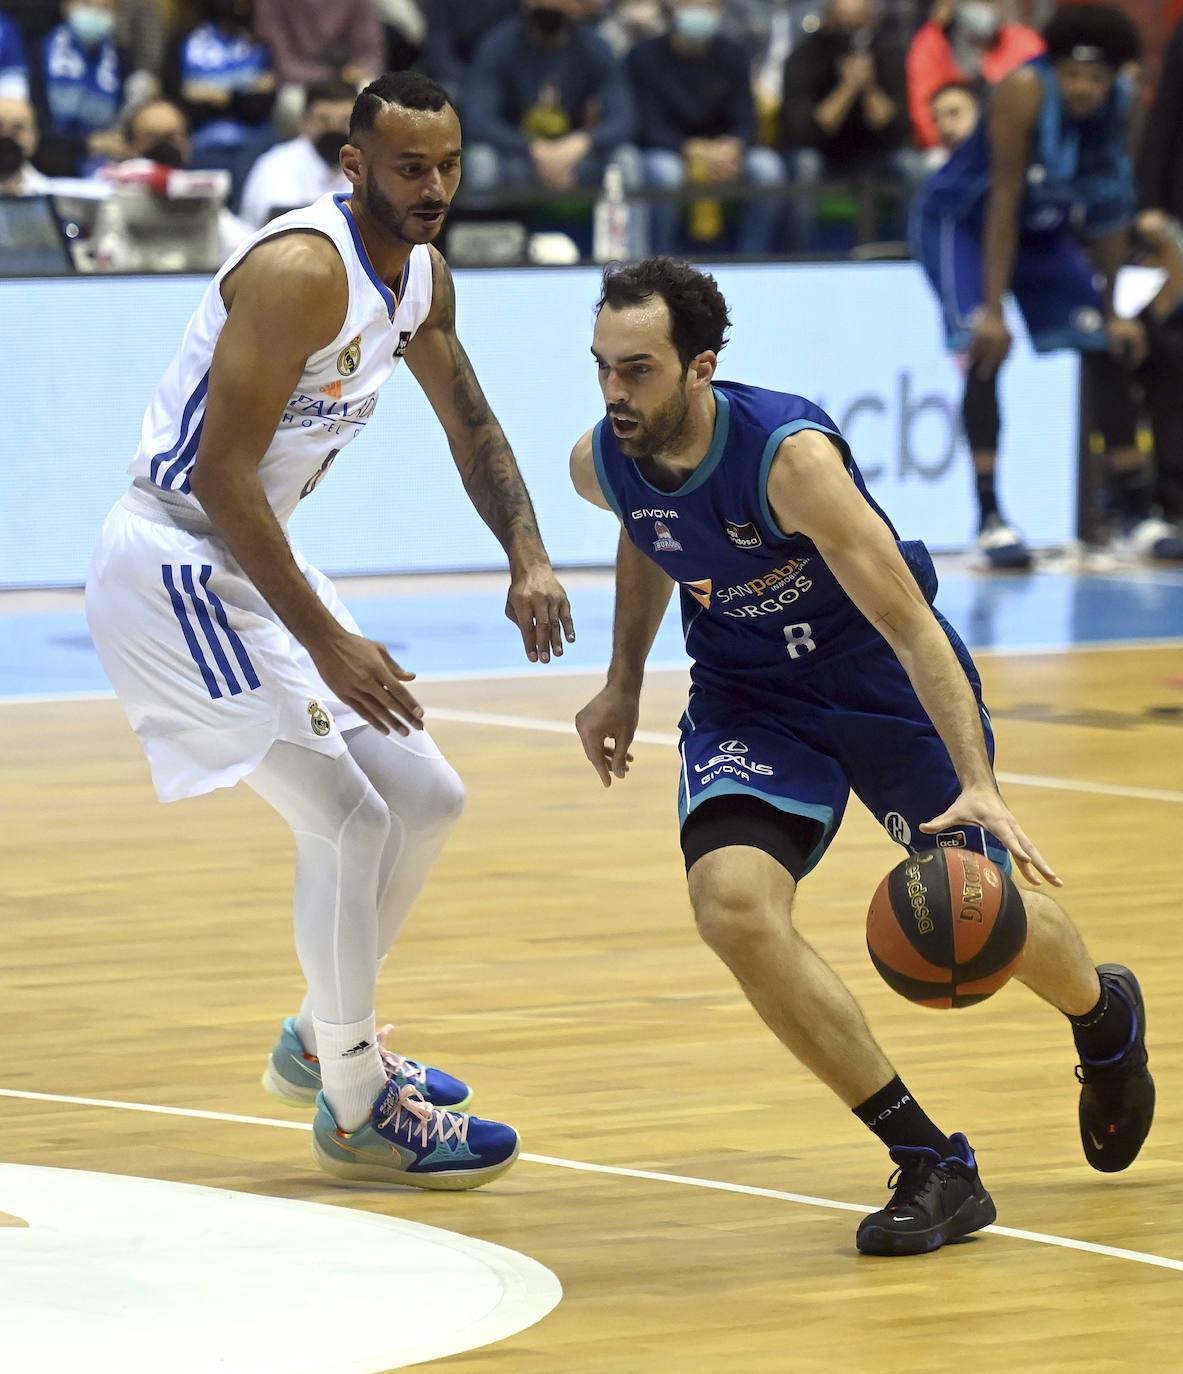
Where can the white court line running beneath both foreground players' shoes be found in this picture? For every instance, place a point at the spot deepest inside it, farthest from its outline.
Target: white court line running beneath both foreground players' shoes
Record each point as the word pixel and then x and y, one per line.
pixel 649 1175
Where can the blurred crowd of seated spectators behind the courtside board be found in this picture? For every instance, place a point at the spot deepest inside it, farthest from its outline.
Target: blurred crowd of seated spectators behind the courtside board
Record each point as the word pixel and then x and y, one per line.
pixel 723 126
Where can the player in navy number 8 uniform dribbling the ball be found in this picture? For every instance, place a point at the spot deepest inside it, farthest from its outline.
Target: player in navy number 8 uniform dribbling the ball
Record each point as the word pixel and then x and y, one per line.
pixel 820 667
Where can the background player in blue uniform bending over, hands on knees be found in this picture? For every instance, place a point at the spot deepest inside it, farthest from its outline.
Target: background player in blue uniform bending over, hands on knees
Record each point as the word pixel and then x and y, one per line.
pixel 1038 203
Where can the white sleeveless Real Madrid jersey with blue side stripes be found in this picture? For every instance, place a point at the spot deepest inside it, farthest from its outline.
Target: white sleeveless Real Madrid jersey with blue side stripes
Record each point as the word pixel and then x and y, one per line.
pixel 336 398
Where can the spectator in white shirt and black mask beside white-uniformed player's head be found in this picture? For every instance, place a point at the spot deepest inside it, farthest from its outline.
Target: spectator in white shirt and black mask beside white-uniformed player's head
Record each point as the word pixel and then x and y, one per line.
pixel 303 170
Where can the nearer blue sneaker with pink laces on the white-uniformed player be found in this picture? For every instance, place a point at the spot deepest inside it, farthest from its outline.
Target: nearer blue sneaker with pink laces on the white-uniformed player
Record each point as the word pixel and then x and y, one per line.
pixel 409 1141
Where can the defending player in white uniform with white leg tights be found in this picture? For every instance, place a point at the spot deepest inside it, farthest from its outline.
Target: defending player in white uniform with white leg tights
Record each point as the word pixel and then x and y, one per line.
pixel 236 660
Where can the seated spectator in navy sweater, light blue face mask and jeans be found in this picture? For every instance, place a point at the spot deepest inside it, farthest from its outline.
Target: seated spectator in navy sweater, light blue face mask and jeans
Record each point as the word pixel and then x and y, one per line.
pixel 697 122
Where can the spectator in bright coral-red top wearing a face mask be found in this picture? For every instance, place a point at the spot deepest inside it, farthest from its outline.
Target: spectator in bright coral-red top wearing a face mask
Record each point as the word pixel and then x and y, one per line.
pixel 971 42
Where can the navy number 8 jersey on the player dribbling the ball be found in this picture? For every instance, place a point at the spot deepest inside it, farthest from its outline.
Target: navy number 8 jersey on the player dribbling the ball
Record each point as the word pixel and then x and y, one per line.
pixel 758 605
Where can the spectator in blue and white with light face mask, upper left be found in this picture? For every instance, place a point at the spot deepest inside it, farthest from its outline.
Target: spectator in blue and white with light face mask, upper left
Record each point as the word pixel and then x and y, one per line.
pixel 83 86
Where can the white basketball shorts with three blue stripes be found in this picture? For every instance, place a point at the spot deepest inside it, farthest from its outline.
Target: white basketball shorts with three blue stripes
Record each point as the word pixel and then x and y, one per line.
pixel 205 670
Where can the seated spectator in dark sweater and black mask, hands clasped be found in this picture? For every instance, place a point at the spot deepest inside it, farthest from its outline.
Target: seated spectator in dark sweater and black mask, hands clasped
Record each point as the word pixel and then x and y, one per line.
pixel 549 102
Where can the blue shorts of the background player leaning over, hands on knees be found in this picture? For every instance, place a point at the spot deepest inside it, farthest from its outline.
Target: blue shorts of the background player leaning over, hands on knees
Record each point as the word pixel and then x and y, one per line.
pixel 1055 285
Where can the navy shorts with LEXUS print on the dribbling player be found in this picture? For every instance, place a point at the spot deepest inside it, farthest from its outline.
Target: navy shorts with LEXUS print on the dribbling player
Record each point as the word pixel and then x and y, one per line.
pixel 858 729
